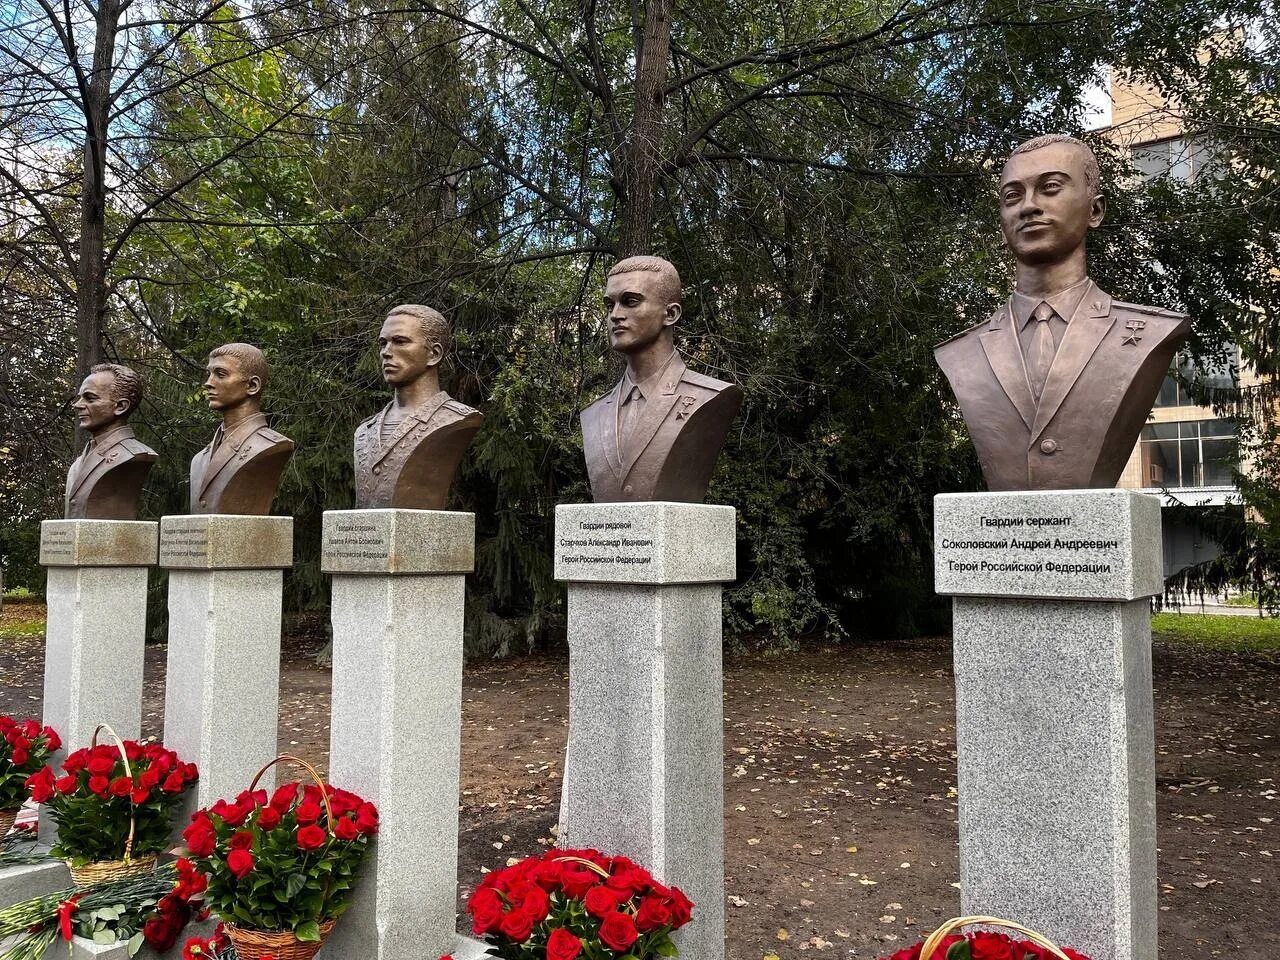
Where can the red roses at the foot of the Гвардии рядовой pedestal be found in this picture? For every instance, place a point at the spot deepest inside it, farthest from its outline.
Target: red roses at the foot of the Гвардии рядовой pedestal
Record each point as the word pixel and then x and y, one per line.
pixel 578 902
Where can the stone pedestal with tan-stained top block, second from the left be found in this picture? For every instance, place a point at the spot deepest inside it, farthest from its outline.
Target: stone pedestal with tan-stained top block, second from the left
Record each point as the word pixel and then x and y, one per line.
pixel 223 682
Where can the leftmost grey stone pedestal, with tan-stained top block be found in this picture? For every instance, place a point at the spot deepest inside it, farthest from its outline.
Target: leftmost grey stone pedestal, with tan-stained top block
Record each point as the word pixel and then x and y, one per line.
pixel 97 630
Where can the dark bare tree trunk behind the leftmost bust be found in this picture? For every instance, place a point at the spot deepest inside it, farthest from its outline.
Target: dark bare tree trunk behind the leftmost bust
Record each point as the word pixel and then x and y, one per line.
pixel 92 282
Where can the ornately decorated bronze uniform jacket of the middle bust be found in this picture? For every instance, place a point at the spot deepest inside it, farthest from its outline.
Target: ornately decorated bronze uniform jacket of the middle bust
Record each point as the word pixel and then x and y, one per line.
pixel 417 467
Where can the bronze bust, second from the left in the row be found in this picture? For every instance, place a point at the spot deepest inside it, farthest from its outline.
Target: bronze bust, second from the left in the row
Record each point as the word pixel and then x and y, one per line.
pixel 241 468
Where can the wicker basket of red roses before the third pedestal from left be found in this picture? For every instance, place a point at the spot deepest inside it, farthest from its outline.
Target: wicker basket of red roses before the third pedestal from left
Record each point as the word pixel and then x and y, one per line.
pixel 282 868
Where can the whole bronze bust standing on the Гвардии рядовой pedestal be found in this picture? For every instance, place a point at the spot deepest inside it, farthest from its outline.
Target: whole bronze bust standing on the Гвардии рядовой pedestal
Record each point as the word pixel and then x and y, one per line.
pixel 657 435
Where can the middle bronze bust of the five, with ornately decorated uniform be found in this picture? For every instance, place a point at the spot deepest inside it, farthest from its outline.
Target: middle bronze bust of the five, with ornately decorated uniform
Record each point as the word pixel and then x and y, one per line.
pixel 409 452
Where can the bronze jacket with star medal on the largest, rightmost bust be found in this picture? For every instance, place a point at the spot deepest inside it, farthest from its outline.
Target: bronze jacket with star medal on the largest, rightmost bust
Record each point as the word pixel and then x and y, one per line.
pixel 1099 392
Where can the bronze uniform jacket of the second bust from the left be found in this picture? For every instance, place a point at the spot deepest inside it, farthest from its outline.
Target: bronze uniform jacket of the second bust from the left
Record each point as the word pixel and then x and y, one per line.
pixel 243 474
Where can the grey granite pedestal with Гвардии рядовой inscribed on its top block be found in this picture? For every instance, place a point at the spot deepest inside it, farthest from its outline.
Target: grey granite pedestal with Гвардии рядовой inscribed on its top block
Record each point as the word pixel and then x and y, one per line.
pixel 644 770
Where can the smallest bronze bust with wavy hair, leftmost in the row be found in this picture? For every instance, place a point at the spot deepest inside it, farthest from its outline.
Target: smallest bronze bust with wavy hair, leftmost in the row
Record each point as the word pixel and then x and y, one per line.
pixel 107 478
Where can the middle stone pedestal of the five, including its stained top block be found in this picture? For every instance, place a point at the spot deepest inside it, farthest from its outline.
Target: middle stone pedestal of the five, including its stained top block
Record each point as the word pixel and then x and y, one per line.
pixel 399 579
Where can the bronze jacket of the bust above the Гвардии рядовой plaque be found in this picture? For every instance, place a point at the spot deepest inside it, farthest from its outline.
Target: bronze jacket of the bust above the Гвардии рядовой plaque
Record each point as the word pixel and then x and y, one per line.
pixel 674 446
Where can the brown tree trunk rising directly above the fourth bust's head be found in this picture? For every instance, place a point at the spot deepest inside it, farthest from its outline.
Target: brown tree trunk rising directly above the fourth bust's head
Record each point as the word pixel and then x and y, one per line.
pixel 644 153
